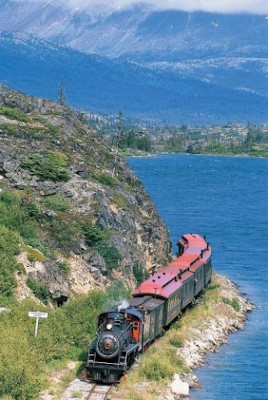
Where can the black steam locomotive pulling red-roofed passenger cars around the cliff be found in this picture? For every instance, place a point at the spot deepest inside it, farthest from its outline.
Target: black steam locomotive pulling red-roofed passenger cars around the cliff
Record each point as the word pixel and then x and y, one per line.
pixel 123 333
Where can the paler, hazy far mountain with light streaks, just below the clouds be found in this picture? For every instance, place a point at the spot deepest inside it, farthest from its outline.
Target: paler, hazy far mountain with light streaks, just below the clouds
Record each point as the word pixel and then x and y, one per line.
pixel 140 31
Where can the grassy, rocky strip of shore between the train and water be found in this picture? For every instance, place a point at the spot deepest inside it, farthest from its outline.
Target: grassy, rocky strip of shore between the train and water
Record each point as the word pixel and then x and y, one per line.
pixel 222 309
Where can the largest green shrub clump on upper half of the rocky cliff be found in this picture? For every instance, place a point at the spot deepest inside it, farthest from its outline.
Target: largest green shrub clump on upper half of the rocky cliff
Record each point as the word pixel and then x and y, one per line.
pixel 51 166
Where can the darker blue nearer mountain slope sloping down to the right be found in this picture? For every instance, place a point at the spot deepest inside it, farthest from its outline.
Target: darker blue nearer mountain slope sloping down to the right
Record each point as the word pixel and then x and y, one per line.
pixel 102 85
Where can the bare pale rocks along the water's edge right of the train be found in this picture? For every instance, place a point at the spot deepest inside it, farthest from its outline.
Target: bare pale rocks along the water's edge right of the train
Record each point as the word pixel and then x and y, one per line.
pixel 208 338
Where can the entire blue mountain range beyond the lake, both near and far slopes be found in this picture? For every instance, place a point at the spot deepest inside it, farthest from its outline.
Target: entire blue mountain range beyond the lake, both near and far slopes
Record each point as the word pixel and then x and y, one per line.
pixel 166 66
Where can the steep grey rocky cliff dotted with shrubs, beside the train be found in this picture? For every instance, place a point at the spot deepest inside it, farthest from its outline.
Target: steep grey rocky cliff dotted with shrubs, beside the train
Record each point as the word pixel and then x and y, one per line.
pixel 91 219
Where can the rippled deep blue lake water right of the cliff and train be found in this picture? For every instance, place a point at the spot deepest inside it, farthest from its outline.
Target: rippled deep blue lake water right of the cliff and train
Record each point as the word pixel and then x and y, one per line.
pixel 225 198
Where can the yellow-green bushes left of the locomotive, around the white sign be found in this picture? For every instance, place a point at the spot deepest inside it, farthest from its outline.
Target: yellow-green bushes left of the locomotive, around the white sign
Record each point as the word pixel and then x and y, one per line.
pixel 25 360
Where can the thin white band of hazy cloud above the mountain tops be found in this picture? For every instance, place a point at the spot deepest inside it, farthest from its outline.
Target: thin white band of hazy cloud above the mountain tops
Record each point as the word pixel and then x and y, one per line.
pixel 222 6
